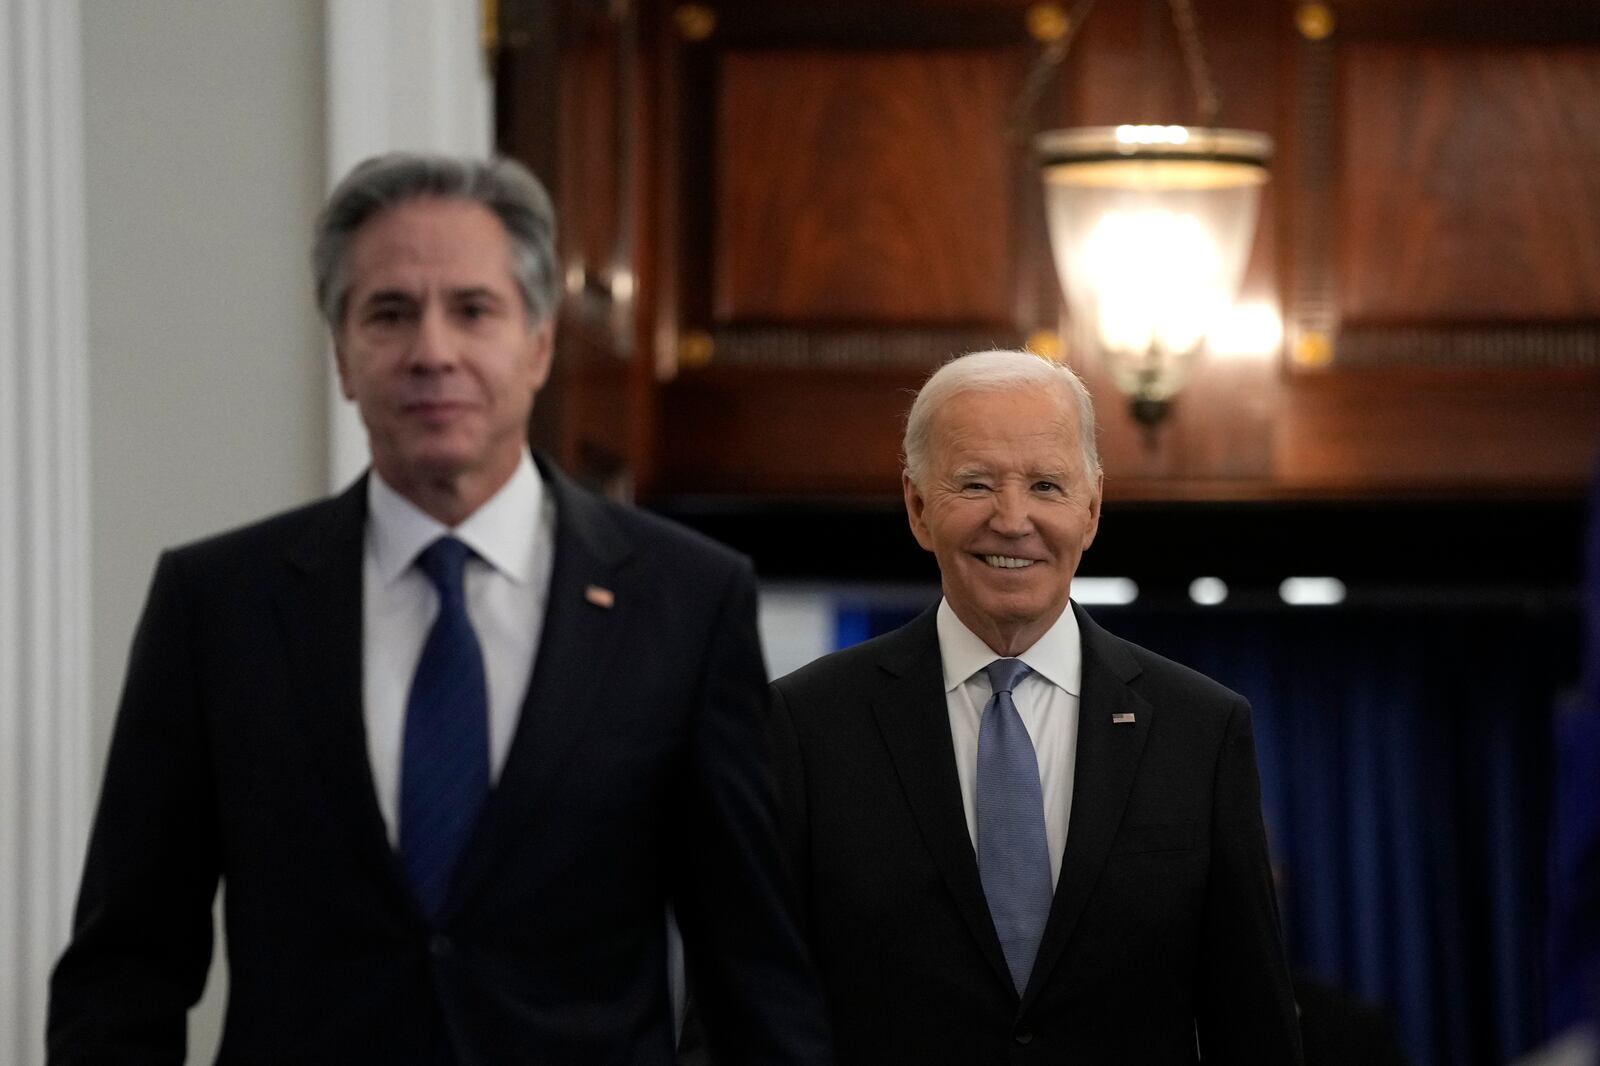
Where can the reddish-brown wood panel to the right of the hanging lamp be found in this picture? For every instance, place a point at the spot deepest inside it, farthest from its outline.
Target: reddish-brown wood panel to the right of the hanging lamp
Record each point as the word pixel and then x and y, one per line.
pixel 1377 233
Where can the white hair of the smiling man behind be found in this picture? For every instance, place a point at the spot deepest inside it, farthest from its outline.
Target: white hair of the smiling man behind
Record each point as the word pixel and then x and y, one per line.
pixel 996 371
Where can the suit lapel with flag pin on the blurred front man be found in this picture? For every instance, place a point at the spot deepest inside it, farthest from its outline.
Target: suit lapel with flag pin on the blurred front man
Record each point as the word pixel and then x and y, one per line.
pixel 577 646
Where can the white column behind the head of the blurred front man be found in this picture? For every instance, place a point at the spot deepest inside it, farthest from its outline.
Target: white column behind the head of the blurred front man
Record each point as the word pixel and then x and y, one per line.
pixel 402 74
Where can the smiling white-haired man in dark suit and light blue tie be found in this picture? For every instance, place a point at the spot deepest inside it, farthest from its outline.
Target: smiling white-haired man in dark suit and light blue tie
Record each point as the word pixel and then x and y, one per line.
pixel 1020 840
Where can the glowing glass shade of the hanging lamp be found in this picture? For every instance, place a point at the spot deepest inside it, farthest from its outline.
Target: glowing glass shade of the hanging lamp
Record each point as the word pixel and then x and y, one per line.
pixel 1151 230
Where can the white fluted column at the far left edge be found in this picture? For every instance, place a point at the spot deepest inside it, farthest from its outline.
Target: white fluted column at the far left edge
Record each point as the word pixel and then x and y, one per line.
pixel 46 788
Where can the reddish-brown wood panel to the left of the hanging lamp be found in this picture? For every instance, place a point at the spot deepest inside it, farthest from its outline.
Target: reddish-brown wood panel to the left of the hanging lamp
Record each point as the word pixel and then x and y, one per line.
pixel 841 257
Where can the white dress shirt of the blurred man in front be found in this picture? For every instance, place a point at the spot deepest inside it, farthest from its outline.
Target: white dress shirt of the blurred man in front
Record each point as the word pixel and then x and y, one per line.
pixel 508 583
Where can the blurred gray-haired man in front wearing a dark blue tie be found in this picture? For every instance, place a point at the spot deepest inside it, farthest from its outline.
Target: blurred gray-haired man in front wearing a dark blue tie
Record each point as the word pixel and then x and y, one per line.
pixel 452 740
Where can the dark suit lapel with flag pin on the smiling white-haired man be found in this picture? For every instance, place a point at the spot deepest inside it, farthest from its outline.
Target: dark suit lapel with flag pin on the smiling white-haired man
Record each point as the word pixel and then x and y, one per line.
pixel 1106 764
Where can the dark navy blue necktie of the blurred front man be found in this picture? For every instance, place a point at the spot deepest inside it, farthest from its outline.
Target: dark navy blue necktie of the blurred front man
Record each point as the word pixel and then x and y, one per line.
pixel 446 756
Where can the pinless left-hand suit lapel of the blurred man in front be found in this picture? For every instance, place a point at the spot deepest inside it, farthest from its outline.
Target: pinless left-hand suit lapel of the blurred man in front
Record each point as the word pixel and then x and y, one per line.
pixel 321 612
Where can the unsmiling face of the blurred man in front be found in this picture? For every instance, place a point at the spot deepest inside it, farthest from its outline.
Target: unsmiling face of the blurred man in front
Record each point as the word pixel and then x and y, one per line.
pixel 439 355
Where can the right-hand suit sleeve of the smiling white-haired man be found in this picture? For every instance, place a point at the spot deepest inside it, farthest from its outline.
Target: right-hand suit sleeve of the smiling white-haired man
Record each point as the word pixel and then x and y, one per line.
pixel 1246 1003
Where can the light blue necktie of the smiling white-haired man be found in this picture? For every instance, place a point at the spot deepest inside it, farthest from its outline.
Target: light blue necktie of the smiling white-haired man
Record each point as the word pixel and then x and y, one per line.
pixel 1014 856
